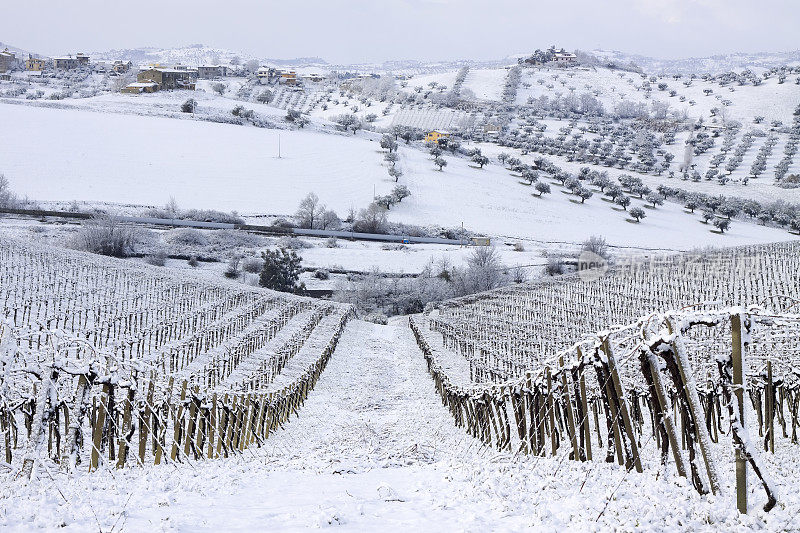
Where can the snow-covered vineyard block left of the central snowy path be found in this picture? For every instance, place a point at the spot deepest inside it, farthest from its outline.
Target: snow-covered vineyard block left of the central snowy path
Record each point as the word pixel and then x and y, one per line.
pixel 108 364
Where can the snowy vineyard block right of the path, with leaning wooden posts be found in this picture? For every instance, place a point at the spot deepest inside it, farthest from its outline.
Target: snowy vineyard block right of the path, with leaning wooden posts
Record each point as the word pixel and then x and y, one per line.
pixel 693 357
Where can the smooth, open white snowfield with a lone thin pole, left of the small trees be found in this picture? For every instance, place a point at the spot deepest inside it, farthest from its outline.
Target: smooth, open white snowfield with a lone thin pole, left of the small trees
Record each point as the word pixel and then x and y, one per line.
pixel 68 154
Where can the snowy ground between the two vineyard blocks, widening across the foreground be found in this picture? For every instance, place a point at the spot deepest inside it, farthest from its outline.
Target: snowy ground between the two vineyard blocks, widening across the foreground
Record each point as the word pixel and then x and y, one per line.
pixel 374 450
